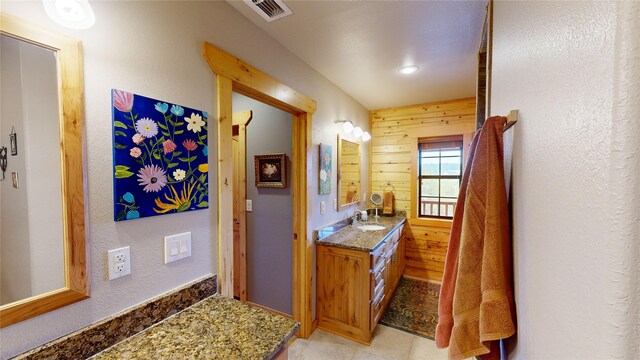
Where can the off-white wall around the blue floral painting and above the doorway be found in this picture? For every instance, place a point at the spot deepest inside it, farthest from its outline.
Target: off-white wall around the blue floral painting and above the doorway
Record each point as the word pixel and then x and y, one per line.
pixel 155 49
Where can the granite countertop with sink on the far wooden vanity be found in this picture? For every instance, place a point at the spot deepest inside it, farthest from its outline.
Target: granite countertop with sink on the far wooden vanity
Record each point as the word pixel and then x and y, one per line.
pixel 350 237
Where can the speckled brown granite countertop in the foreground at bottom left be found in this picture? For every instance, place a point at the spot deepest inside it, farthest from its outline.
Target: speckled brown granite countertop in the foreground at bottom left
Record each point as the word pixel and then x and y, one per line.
pixel 215 328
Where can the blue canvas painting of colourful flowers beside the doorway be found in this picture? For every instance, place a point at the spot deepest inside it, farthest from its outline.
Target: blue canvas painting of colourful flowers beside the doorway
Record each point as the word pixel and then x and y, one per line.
pixel 160 157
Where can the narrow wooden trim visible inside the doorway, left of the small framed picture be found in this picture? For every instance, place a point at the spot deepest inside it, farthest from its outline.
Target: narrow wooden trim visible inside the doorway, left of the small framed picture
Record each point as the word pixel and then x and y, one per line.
pixel 241 119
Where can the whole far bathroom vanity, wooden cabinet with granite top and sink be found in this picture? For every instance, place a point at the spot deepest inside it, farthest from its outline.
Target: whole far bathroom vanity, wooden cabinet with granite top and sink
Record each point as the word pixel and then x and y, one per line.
pixel 357 272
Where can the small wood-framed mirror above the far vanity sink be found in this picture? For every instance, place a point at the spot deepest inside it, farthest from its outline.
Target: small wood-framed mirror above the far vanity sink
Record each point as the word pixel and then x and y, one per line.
pixel 348 173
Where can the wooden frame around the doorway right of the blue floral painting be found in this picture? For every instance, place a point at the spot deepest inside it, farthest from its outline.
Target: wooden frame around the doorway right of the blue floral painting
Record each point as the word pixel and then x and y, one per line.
pixel 233 74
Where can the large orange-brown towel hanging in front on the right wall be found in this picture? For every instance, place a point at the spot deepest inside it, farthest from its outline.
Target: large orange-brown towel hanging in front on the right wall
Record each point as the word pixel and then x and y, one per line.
pixel 483 309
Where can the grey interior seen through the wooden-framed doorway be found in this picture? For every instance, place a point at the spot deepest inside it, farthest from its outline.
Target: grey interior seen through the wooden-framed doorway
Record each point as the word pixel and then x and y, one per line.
pixel 269 227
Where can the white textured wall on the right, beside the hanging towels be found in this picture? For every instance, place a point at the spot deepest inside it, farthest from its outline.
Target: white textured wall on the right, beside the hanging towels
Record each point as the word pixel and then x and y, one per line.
pixel 575 174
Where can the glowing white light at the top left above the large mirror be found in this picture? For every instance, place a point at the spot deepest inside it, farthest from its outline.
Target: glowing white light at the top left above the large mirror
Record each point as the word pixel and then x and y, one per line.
pixel 72 14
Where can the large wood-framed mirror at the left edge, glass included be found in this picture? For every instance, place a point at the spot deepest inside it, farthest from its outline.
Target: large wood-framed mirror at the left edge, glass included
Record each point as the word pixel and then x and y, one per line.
pixel 58 132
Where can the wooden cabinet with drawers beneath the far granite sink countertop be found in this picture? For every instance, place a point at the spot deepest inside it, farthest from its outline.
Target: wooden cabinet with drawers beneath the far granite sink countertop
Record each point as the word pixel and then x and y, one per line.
pixel 355 286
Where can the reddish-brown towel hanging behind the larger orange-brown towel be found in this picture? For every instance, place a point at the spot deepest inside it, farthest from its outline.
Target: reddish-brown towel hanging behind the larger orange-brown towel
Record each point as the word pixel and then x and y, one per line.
pixel 445 301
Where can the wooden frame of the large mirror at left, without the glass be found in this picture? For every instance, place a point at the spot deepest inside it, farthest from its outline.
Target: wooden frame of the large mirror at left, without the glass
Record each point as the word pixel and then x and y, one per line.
pixel 71 107
